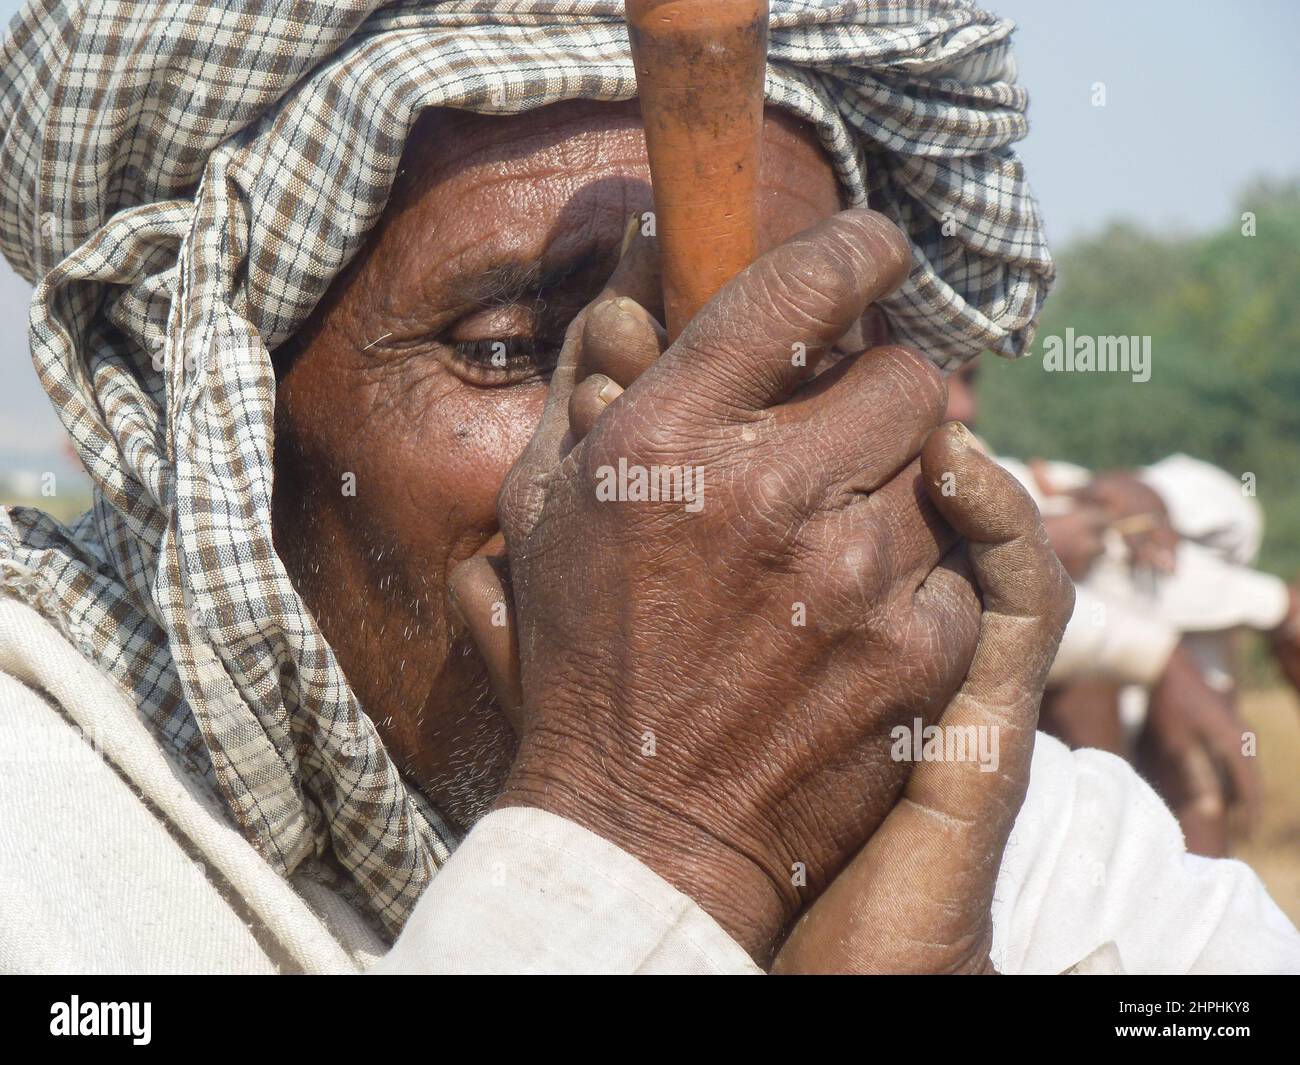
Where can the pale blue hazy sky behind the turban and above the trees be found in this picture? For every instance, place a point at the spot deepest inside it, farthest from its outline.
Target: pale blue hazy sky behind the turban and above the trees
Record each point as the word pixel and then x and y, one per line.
pixel 1201 99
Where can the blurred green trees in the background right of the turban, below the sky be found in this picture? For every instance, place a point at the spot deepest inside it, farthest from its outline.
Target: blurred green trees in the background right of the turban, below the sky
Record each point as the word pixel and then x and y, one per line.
pixel 1224 319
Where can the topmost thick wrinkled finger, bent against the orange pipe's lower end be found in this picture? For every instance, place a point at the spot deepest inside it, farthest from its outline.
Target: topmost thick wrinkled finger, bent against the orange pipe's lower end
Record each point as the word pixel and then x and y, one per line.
pixel 765 332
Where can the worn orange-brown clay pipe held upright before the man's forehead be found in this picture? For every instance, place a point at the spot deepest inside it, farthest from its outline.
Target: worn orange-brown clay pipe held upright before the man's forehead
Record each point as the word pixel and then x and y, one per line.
pixel 700 75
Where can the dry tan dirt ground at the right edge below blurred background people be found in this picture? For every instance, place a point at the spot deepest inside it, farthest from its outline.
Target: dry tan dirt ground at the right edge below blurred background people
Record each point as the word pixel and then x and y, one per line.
pixel 1275 850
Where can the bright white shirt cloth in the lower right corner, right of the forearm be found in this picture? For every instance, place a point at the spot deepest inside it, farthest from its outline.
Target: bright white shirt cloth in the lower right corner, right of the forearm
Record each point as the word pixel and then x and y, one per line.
pixel 1097 868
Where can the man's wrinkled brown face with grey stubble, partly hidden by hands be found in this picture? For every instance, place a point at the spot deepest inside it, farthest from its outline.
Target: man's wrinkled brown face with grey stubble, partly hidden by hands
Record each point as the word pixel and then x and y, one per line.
pixel 421 378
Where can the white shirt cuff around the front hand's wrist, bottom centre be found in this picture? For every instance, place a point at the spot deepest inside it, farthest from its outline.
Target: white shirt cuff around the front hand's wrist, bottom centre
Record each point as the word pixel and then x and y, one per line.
pixel 531 893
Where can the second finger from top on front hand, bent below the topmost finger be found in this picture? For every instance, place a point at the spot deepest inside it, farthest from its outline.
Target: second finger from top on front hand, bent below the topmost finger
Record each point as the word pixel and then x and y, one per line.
pixel 877 406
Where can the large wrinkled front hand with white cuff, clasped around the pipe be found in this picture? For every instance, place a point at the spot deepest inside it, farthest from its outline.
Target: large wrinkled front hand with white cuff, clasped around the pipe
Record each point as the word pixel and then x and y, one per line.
pixel 671 702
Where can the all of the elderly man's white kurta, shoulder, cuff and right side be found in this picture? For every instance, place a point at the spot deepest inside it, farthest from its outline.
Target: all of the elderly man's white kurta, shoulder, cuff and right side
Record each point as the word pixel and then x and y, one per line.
pixel 115 860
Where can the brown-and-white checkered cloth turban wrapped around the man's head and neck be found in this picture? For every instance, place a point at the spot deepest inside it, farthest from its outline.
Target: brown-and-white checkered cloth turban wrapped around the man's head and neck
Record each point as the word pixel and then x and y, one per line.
pixel 184 179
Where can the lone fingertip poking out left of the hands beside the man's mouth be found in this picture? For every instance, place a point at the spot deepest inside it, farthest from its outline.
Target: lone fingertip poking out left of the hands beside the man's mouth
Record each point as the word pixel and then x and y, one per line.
pixel 480 592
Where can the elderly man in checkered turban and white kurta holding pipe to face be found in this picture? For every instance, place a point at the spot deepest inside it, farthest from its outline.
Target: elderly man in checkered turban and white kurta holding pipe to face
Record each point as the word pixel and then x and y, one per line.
pixel 411 207
